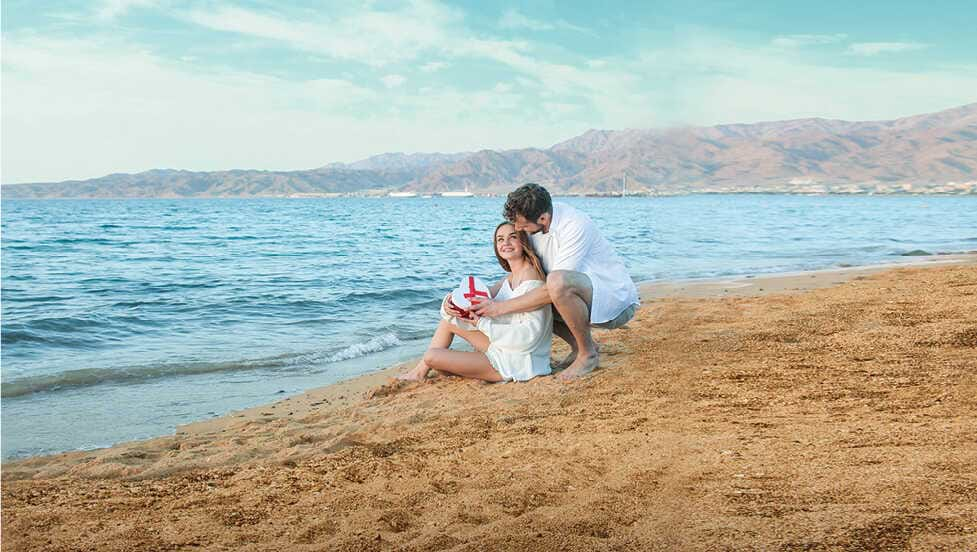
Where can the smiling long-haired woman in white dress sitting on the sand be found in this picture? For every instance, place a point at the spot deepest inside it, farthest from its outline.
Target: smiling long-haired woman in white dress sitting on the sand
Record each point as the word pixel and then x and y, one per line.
pixel 511 347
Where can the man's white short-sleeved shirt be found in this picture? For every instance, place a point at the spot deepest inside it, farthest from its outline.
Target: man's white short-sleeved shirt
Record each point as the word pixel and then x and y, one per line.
pixel 574 243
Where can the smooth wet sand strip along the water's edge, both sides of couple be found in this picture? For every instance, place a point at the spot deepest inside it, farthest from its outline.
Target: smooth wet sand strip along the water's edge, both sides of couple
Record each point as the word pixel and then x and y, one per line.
pixel 345 393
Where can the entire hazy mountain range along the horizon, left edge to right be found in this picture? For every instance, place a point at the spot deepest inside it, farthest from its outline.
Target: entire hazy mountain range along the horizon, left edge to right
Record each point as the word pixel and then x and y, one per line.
pixel 921 153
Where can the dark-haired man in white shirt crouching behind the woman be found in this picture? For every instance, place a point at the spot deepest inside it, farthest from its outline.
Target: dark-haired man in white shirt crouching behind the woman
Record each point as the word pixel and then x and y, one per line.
pixel 586 281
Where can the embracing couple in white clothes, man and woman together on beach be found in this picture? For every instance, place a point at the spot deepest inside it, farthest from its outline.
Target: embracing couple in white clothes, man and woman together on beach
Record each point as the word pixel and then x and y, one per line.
pixel 554 256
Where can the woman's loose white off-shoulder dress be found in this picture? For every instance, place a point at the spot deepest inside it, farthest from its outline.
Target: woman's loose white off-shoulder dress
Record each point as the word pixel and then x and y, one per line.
pixel 519 343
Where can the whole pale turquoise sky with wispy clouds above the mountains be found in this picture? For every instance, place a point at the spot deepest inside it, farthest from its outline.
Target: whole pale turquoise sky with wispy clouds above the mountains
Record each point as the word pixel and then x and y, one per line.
pixel 96 87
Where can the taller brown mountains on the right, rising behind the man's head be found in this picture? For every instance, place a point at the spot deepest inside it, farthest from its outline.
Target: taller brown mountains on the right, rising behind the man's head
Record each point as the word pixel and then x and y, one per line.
pixel 805 154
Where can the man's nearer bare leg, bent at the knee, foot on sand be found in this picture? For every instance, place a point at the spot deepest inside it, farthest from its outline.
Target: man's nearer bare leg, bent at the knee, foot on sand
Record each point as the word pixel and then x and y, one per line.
pixel 572 294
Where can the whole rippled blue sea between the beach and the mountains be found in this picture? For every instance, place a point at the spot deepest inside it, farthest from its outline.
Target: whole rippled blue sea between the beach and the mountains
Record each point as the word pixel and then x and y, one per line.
pixel 124 319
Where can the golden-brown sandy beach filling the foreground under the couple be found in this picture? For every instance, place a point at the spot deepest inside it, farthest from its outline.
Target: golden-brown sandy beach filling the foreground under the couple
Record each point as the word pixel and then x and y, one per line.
pixel 828 410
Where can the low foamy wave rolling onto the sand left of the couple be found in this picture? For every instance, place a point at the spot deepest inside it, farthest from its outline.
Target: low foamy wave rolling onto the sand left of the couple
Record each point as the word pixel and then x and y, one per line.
pixel 87 377
